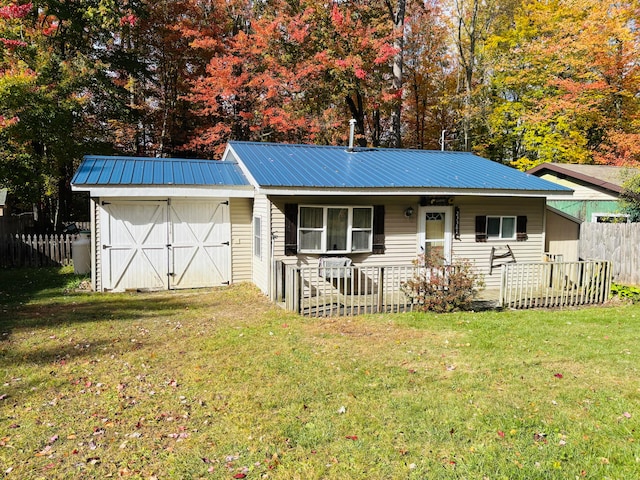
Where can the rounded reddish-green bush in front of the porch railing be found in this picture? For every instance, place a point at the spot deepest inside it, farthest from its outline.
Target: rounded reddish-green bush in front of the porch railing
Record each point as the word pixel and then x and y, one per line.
pixel 439 287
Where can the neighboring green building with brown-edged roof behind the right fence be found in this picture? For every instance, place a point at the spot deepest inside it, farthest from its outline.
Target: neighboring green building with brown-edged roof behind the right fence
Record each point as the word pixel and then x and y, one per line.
pixel 597 189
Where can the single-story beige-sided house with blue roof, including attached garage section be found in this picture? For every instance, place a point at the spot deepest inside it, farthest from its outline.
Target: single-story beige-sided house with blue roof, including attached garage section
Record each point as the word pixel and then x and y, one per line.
pixel 178 223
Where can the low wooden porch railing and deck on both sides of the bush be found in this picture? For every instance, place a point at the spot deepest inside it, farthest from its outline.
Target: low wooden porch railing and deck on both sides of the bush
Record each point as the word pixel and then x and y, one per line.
pixel 355 290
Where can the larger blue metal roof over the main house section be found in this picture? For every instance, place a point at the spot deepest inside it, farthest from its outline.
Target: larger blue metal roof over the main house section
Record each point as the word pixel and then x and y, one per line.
pixel 314 166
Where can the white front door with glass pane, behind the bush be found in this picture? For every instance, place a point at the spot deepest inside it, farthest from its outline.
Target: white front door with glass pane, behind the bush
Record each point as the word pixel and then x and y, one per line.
pixel 435 231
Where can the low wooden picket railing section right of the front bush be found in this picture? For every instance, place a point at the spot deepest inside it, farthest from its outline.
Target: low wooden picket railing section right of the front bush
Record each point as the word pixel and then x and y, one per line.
pixel 555 284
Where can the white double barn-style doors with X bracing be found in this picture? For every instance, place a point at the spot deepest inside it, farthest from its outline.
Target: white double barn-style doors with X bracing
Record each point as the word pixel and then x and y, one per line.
pixel 164 244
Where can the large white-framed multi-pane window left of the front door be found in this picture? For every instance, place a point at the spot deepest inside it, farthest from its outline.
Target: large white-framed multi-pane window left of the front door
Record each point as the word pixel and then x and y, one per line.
pixel 324 229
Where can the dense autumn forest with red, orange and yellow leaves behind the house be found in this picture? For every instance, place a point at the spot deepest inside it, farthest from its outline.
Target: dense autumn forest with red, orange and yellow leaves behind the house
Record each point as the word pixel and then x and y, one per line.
pixel 518 81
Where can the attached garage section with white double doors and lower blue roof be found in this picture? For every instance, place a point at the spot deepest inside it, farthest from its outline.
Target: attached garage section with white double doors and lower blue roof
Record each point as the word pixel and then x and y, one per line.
pixel 164 223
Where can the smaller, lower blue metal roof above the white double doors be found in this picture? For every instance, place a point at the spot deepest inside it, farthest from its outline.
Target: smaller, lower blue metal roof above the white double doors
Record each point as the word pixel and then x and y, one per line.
pixel 115 170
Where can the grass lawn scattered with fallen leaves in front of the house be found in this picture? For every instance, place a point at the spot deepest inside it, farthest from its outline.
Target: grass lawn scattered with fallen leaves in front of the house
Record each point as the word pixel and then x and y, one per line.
pixel 217 383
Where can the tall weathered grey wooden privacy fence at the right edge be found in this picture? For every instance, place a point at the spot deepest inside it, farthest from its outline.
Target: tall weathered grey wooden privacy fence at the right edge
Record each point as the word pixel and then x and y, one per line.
pixel 617 242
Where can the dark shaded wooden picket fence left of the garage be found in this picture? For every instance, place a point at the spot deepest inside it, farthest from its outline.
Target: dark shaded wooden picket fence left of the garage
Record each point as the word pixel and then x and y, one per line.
pixel 35 250
